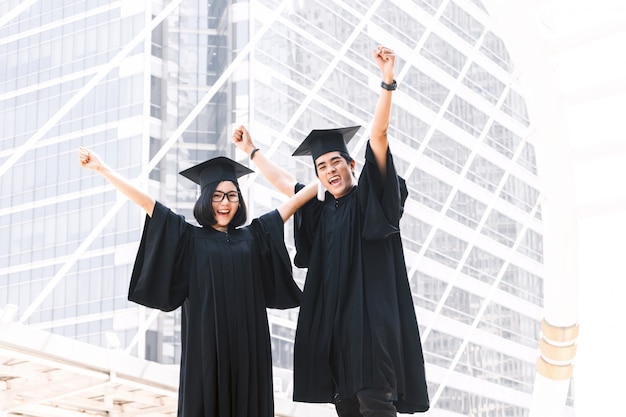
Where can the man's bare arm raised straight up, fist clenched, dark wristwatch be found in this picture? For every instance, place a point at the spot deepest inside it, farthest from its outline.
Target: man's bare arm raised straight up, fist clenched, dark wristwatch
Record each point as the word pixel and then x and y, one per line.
pixel 385 59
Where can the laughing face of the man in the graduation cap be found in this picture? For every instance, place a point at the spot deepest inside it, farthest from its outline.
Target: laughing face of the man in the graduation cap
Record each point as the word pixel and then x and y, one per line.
pixel 335 173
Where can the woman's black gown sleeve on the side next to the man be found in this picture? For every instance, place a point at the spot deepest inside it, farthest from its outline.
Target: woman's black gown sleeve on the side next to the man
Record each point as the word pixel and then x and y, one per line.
pixel 279 288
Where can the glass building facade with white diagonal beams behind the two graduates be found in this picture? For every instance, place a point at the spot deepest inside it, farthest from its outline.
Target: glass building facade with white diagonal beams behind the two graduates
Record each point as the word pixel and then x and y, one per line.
pixel 155 87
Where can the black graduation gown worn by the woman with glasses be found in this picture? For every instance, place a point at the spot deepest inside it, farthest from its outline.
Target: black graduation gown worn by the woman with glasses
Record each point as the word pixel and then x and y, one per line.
pixel 224 282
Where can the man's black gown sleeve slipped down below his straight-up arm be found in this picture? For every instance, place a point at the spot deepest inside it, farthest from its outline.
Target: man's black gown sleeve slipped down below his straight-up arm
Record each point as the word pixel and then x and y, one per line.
pixel 381 199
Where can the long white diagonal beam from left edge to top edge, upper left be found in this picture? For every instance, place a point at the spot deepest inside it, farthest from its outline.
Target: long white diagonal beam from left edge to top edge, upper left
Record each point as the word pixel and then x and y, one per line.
pixel 113 63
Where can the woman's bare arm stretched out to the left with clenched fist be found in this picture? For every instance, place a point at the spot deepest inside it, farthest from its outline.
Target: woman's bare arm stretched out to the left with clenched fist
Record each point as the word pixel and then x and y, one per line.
pixel 90 160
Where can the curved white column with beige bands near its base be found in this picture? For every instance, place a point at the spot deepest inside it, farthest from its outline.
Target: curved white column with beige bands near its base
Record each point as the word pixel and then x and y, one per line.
pixel 517 27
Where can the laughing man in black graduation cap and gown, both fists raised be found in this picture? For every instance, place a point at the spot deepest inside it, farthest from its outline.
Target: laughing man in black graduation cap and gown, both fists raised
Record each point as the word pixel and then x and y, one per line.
pixel 357 342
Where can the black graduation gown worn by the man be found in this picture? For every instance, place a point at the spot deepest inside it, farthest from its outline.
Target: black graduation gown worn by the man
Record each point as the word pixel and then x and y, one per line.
pixel 357 327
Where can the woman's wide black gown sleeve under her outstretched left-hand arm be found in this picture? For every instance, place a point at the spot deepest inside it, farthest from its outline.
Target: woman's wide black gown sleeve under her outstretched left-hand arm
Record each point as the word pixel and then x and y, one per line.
pixel 160 277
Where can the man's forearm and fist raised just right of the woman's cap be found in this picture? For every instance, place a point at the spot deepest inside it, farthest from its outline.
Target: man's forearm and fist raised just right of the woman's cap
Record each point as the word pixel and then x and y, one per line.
pixel 280 178
